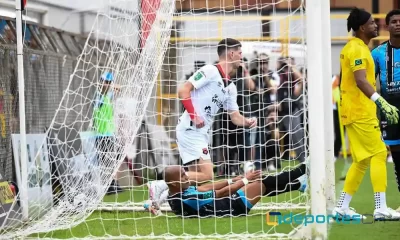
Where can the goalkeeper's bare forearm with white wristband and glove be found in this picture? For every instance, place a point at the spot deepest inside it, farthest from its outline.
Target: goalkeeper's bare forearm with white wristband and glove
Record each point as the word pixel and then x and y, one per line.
pixel 390 112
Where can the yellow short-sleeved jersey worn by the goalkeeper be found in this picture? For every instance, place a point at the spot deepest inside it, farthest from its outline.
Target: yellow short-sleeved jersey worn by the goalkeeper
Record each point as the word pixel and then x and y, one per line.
pixel 355 106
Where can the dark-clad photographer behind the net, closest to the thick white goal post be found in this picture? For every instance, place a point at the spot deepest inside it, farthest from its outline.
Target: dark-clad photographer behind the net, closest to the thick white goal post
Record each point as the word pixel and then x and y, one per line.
pixel 290 110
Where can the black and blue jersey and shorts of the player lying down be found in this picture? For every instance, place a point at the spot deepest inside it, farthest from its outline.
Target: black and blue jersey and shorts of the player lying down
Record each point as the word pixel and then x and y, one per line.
pixel 192 203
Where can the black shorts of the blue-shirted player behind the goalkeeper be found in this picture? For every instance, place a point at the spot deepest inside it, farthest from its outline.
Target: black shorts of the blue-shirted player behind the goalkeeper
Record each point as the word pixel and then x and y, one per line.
pixel 390 133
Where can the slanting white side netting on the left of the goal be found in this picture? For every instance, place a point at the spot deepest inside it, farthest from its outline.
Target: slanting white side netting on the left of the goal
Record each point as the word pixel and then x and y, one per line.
pixel 83 176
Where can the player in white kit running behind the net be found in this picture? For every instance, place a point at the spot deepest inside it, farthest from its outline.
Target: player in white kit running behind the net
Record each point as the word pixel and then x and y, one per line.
pixel 207 91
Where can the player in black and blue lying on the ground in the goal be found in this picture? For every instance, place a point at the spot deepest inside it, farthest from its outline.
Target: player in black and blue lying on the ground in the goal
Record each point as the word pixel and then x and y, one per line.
pixel 233 197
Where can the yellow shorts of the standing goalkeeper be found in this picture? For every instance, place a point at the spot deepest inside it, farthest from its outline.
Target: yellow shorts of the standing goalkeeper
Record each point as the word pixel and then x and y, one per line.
pixel 365 139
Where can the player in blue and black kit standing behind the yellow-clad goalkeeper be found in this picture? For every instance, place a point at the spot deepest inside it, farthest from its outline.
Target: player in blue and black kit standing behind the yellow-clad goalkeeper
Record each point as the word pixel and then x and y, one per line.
pixel 387 66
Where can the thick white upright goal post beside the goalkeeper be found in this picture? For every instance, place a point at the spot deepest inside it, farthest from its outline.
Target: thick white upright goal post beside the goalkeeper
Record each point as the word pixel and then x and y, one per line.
pixel 320 110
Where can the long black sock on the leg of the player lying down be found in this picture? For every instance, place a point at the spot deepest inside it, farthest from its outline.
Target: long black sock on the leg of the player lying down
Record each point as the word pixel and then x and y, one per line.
pixel 284 182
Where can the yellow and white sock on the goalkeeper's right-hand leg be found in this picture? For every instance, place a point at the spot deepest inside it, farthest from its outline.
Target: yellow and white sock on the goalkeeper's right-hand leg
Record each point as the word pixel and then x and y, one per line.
pixel 379 179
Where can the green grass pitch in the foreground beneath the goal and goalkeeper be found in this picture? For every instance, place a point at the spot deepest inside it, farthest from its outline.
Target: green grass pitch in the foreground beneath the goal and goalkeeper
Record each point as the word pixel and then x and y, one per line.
pixel 127 224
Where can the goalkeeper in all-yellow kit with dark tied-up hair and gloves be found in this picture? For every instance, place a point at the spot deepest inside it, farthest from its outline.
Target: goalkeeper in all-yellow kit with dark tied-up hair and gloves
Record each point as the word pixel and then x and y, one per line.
pixel 358 104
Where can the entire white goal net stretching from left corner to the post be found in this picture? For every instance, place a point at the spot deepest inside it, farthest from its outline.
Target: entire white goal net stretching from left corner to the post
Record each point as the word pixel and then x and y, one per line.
pixel 114 130
